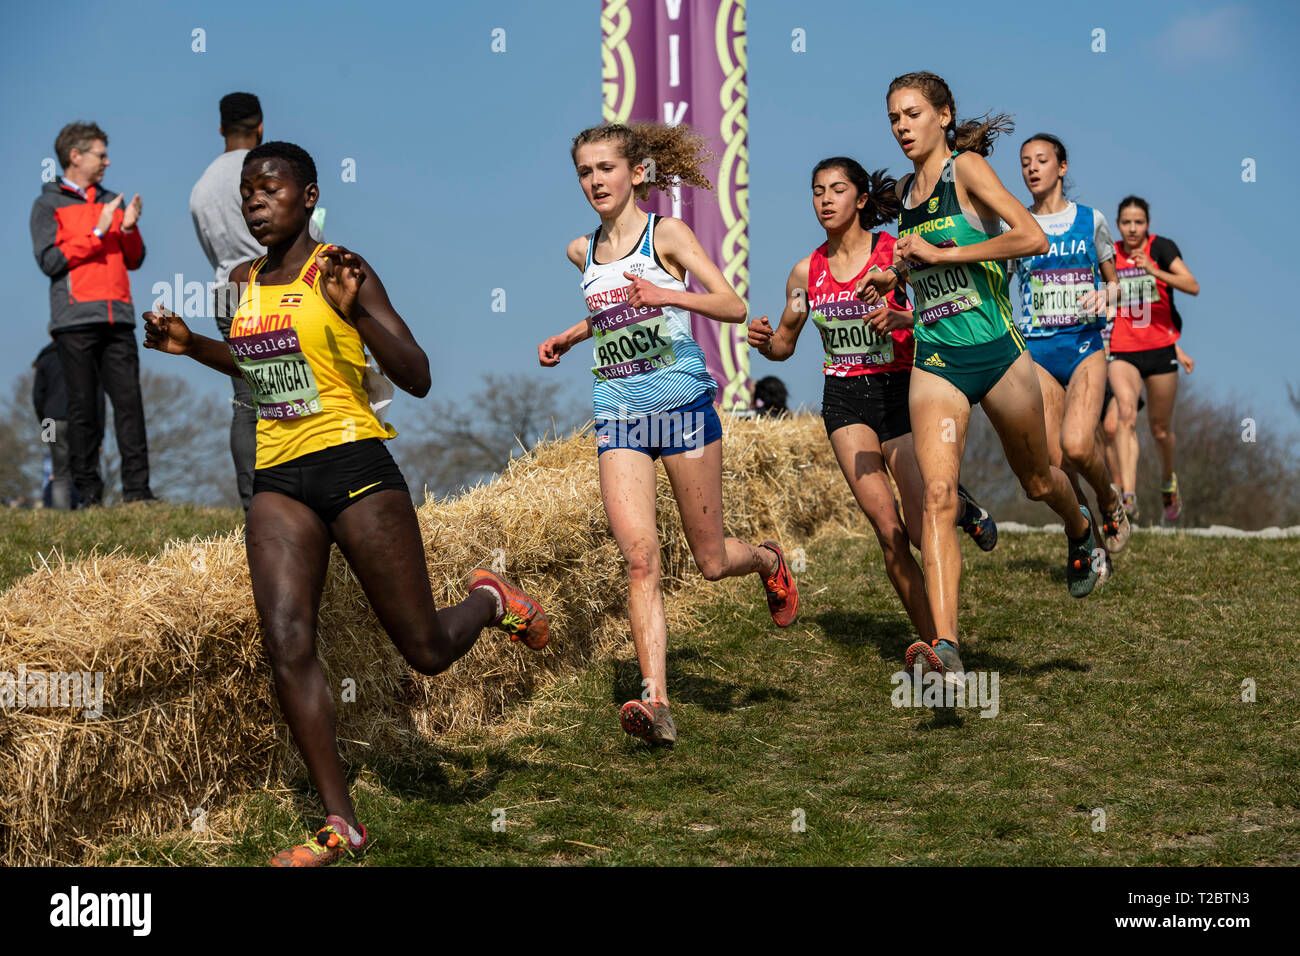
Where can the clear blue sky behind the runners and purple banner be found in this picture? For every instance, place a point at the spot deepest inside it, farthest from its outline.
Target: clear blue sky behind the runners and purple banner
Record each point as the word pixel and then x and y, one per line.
pixel 465 185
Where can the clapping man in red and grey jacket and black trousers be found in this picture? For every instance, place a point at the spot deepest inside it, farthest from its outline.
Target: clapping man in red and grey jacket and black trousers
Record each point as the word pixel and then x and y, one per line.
pixel 86 243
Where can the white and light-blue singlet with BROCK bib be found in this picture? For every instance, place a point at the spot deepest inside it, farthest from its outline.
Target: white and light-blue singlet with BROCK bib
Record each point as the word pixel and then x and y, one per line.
pixel 647 361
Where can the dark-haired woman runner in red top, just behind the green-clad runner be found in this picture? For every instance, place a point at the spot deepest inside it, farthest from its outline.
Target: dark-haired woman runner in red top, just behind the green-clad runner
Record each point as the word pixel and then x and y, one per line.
pixel 869 357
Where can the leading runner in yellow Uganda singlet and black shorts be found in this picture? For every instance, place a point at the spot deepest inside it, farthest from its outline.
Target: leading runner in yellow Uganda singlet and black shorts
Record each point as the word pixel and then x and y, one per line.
pixel 300 339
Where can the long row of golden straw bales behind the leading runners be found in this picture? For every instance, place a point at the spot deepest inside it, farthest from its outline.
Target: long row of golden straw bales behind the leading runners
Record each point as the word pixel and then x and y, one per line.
pixel 189 713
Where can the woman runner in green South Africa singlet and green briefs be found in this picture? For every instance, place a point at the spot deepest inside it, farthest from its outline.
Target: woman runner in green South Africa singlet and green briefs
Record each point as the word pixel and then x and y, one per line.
pixel 954 253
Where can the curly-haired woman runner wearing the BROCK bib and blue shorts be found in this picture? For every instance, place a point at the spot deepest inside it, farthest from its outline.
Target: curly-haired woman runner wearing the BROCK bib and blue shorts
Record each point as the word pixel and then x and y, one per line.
pixel 653 397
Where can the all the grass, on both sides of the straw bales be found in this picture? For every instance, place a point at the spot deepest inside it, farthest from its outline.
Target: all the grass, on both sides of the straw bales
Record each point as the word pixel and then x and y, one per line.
pixel 1128 703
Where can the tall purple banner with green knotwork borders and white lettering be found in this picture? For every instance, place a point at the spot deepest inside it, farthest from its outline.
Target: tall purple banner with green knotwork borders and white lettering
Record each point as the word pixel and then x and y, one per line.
pixel 683 62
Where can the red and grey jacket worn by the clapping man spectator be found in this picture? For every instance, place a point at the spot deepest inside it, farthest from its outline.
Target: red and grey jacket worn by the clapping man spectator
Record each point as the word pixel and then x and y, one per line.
pixel 89 283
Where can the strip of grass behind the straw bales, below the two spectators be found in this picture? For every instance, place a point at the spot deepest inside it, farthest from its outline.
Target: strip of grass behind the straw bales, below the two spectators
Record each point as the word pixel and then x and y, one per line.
pixel 138 530
